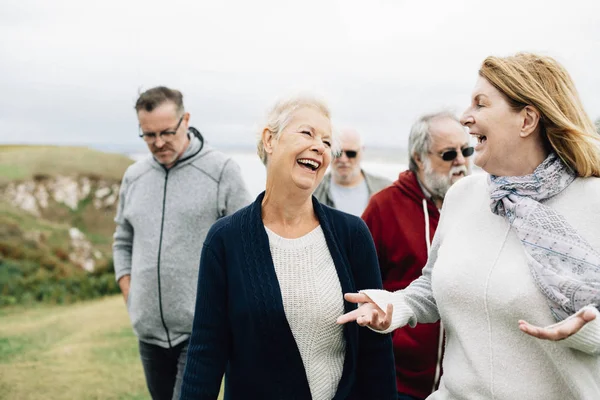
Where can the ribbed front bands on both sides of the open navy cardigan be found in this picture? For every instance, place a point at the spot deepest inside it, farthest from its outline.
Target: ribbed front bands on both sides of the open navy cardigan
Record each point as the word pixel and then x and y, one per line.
pixel 278 340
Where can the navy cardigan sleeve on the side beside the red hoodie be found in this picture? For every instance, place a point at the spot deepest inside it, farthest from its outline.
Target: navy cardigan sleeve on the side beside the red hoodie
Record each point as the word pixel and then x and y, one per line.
pixel 376 376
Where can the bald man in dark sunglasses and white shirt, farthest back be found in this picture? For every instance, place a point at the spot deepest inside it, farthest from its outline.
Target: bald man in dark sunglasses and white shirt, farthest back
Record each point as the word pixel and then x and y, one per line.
pixel 348 187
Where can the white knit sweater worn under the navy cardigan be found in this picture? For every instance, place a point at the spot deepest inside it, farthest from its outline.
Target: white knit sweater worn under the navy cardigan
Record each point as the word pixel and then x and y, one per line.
pixel 312 300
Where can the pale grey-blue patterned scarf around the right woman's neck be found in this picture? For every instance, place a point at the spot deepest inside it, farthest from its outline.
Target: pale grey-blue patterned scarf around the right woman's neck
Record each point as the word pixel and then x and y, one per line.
pixel 565 267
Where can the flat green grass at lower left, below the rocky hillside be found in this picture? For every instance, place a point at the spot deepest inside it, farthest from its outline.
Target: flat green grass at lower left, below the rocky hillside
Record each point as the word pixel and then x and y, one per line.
pixel 81 351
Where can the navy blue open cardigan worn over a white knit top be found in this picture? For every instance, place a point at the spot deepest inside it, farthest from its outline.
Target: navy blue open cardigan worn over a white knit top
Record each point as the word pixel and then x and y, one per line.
pixel 240 327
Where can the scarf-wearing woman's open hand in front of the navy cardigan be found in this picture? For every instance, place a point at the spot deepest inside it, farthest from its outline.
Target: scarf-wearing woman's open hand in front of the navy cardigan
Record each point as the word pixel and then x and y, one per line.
pixel 369 314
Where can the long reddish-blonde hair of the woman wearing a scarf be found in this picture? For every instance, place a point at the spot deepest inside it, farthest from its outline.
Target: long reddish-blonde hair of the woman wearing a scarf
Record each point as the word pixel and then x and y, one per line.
pixel 540 81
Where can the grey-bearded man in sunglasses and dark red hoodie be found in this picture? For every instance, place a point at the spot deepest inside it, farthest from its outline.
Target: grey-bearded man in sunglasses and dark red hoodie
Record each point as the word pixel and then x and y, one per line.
pixel 402 219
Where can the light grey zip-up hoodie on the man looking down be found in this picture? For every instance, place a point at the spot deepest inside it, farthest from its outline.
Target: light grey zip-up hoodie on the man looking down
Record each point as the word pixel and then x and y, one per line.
pixel 162 220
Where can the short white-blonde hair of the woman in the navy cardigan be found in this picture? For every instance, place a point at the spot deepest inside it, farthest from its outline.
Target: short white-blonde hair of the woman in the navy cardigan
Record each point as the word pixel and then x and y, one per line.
pixel 280 115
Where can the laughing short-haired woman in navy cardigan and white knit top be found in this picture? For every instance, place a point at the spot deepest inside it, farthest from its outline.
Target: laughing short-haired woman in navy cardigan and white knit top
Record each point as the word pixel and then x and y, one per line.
pixel 272 279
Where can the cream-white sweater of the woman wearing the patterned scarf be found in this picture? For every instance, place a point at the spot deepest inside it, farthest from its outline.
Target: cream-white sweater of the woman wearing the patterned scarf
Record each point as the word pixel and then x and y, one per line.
pixel 478 282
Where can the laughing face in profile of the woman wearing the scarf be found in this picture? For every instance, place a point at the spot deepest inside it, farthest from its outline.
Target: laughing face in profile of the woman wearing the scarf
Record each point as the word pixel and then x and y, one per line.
pixel 495 125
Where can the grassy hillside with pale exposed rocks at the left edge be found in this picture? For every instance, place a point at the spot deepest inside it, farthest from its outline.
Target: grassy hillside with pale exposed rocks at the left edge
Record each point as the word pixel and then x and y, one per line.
pixel 37 261
